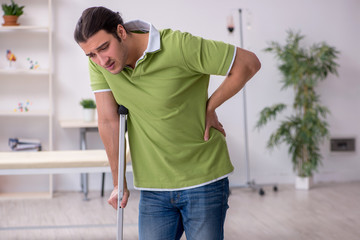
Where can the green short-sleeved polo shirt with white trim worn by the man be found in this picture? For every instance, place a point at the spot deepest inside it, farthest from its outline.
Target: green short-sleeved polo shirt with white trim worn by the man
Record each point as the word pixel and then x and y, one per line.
pixel 166 94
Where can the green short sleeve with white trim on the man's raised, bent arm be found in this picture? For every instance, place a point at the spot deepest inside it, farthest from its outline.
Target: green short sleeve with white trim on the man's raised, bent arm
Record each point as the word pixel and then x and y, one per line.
pixel 207 56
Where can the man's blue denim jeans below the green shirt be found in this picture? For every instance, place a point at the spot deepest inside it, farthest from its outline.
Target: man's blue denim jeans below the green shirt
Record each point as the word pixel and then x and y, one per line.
pixel 200 212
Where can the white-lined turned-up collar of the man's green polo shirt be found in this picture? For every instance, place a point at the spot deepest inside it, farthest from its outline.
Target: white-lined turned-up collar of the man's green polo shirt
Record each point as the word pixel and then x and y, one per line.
pixel 154 35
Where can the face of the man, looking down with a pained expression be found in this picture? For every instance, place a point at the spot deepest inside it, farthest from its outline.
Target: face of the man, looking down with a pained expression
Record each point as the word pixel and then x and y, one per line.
pixel 107 51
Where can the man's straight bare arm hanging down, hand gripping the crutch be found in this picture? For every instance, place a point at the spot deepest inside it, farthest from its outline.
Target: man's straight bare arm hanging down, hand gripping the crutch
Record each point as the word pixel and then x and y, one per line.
pixel 108 124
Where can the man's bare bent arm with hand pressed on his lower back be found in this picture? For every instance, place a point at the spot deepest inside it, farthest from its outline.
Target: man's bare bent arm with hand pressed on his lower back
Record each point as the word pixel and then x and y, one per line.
pixel 245 65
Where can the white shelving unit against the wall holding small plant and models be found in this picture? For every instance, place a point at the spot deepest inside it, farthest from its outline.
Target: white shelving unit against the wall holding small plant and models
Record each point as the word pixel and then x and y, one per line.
pixel 41 78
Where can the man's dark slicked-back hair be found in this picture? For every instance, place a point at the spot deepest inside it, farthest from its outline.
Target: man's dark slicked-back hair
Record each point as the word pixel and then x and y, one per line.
pixel 95 19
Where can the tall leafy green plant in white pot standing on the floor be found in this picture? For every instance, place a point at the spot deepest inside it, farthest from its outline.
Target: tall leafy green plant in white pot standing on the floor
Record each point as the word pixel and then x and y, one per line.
pixel 305 128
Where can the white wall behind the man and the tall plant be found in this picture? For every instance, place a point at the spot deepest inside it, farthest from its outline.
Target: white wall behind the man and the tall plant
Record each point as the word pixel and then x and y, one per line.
pixel 332 21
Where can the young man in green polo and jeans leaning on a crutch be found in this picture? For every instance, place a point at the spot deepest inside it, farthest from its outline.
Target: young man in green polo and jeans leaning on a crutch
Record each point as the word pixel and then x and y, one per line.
pixel 179 154
